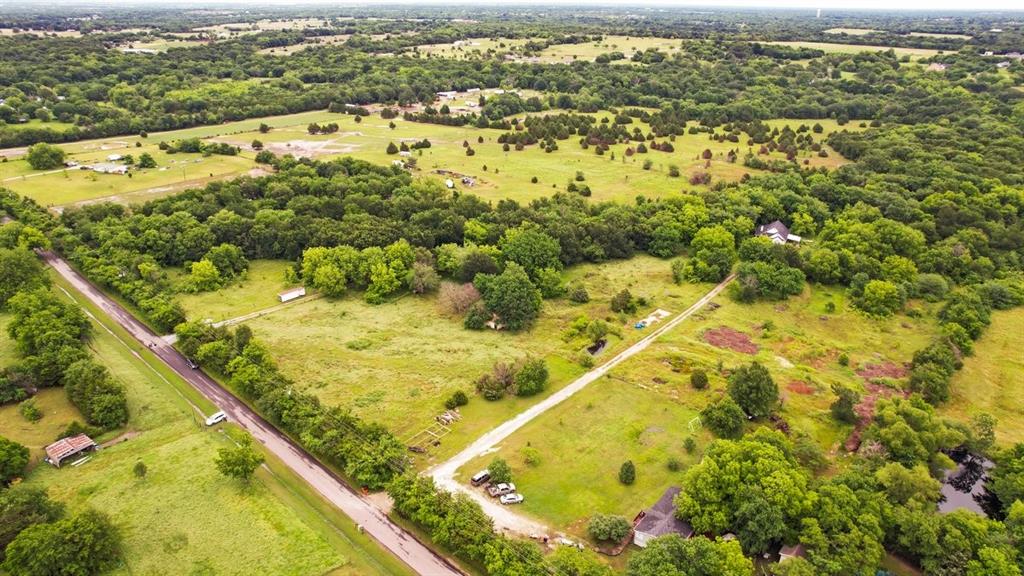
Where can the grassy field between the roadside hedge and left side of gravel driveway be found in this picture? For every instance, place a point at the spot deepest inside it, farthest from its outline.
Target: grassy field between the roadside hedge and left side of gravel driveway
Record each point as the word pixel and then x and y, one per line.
pixel 397 363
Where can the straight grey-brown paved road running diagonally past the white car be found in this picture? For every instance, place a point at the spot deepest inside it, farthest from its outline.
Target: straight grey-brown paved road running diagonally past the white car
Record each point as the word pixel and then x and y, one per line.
pixel 363 512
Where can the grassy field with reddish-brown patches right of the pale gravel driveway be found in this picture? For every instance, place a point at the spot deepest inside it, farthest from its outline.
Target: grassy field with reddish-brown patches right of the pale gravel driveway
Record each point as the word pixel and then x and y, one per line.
pixel 643 409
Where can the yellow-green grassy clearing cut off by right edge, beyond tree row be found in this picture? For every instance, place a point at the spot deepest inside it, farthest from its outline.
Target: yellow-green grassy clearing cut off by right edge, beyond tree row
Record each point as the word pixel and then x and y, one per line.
pixel 991 381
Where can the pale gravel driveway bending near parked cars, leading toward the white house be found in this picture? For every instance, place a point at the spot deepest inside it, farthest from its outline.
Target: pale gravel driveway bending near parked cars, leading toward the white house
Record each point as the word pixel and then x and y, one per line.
pixel 504 518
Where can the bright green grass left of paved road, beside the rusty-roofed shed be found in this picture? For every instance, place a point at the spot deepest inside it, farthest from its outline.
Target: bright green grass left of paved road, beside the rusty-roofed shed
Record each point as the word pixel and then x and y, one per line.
pixel 184 517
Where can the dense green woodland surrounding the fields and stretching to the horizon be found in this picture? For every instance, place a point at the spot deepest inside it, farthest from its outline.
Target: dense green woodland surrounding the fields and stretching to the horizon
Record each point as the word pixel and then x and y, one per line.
pixel 930 209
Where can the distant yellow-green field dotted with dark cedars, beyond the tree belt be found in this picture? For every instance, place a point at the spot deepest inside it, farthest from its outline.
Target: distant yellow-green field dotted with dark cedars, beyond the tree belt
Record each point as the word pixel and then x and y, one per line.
pixel 612 177
